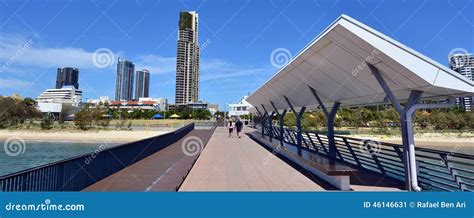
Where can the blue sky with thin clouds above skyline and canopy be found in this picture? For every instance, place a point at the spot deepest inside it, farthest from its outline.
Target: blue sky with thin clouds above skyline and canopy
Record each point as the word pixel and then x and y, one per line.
pixel 236 37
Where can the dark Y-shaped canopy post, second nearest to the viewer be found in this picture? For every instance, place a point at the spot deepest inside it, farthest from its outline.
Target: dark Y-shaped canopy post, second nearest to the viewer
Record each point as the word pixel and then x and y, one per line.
pixel 330 115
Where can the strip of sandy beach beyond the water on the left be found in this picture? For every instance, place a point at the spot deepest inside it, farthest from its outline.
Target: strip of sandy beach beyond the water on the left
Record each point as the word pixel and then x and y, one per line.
pixel 80 136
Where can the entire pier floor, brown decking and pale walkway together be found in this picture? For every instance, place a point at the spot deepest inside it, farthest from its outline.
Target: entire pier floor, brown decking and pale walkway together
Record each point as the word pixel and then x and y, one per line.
pixel 226 164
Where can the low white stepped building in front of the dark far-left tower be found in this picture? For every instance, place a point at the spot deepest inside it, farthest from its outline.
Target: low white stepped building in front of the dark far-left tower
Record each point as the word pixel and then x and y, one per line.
pixel 65 100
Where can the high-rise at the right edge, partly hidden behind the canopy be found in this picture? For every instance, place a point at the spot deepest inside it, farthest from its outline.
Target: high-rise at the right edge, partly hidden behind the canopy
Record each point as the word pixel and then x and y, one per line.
pixel 463 64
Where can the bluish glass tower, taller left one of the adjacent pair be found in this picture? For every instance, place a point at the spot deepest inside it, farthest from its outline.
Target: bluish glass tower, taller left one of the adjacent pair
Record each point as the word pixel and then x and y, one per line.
pixel 124 80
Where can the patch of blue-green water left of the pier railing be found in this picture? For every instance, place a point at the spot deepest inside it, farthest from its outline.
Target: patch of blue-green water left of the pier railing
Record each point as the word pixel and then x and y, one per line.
pixel 16 156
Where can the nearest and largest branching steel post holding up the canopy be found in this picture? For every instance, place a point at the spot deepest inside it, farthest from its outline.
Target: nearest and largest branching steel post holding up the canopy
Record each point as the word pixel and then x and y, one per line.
pixel 406 122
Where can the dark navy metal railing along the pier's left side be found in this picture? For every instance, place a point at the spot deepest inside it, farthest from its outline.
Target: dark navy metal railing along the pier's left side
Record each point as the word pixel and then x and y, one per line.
pixel 75 174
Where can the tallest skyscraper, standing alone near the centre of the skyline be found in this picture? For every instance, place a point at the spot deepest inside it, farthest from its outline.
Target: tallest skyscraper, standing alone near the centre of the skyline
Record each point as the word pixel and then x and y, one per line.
pixel 187 59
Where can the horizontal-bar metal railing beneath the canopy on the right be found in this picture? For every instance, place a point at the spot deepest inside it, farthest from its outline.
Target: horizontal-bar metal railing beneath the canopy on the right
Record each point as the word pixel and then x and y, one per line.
pixel 437 170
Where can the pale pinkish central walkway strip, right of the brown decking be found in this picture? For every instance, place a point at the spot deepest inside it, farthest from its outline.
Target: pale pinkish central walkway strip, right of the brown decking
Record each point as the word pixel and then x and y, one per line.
pixel 240 164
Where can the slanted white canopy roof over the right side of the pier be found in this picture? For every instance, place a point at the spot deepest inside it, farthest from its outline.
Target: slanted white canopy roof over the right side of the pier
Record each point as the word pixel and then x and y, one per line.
pixel 334 64
